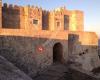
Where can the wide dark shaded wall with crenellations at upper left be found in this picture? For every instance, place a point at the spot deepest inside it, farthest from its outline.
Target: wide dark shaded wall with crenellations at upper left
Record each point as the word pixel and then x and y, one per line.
pixel 10 16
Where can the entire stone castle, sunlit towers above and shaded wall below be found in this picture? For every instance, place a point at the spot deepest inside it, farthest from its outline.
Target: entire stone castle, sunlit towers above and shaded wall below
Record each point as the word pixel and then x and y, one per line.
pixel 32 38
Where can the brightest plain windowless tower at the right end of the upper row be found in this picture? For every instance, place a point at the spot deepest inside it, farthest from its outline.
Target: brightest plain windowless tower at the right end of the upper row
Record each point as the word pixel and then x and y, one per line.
pixel 76 21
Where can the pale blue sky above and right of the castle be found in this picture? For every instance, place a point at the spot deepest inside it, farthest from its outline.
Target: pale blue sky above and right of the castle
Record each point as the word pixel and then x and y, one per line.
pixel 91 9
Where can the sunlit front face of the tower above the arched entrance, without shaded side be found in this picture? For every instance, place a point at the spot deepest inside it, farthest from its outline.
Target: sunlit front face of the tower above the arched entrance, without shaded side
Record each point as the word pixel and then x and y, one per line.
pixel 56 20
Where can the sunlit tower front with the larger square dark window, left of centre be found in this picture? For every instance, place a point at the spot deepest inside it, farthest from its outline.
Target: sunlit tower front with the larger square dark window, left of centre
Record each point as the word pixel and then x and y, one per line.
pixel 35 18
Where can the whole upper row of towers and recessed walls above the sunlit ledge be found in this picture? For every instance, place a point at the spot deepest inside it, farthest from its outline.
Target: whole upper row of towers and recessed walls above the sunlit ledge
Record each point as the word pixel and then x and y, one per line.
pixel 17 16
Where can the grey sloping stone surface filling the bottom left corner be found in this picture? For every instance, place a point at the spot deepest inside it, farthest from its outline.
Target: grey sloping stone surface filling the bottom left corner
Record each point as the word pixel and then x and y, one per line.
pixel 9 72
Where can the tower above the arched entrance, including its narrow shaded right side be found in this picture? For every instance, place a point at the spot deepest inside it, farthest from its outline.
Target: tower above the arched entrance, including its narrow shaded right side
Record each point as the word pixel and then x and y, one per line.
pixel 57 20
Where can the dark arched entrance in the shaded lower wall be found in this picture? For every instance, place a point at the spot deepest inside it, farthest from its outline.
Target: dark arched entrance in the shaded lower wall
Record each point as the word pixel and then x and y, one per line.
pixel 57 52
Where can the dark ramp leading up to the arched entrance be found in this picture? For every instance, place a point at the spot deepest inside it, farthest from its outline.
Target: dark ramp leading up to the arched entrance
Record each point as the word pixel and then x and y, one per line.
pixel 53 72
